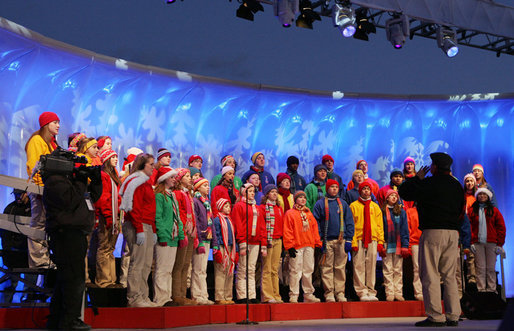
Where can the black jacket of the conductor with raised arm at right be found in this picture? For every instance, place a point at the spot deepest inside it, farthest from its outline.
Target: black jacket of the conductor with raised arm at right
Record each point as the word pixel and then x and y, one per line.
pixel 440 201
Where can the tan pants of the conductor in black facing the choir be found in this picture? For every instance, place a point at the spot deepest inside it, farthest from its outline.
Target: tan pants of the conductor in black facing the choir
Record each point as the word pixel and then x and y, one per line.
pixel 438 251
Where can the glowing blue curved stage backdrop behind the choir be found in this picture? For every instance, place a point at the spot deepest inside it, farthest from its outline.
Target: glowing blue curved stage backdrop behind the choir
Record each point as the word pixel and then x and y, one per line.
pixel 151 108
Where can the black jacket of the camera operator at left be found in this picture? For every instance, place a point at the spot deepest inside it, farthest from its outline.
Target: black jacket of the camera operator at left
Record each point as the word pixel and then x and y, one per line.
pixel 65 202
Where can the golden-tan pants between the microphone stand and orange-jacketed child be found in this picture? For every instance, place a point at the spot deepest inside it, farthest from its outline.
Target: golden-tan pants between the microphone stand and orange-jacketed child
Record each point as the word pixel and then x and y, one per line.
pixel 270 266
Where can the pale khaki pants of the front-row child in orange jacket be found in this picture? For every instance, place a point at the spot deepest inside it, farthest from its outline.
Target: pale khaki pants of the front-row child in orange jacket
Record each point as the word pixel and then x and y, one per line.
pixel 301 268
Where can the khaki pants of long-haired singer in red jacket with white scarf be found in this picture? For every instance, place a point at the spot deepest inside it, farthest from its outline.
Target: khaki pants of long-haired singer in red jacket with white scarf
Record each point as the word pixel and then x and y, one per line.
pixel 141 259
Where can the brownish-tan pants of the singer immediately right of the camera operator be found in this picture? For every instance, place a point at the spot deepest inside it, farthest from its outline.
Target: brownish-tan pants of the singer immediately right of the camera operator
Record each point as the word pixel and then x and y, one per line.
pixel 105 261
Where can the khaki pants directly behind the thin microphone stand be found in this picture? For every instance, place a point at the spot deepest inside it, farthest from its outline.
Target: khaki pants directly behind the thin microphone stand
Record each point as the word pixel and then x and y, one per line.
pixel 253 255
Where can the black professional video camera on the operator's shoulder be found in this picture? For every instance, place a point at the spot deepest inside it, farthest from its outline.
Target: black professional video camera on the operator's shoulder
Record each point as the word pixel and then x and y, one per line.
pixel 63 162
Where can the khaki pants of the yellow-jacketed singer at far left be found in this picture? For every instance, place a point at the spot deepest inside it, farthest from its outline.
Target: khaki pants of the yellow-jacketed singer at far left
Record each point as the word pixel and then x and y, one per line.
pixel 38 251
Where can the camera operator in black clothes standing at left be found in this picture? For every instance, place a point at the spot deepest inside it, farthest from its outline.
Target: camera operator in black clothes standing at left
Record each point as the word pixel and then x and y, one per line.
pixel 68 198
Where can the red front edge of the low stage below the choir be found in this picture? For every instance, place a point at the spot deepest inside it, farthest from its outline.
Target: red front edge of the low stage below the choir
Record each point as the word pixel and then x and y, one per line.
pixel 169 317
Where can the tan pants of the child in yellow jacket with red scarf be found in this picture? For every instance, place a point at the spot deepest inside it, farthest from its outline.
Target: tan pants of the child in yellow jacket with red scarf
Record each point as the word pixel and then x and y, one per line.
pixel 364 269
